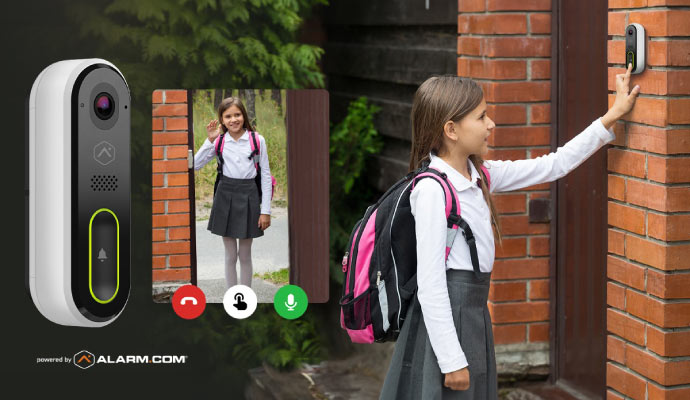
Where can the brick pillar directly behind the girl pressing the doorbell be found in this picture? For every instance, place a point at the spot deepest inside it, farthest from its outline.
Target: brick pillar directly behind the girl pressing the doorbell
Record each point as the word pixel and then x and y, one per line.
pixel 506 46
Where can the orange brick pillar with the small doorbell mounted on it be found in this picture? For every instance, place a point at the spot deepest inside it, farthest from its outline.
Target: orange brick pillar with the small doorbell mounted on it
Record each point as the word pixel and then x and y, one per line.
pixel 648 318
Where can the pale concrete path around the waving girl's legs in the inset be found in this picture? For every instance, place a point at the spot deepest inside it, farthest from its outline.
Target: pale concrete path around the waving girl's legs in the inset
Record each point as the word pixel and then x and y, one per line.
pixel 269 253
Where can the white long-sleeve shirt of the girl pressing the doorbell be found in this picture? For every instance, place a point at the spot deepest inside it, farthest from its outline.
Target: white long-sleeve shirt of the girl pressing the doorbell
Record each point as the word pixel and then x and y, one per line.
pixel 428 208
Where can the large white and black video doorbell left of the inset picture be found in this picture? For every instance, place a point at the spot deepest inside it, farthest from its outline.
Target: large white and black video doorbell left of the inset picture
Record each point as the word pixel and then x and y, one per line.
pixel 78 192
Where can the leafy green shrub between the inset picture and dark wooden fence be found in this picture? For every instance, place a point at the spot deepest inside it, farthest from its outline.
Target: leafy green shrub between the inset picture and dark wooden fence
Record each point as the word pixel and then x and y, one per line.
pixel 352 142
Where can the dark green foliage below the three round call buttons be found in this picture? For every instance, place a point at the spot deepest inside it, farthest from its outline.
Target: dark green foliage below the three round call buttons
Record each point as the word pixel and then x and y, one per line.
pixel 225 348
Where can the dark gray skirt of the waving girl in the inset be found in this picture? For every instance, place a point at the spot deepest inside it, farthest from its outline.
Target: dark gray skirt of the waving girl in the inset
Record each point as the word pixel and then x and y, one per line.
pixel 236 209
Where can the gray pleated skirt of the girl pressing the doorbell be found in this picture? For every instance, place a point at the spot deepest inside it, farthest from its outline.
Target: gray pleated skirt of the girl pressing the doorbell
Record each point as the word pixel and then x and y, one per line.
pixel 414 372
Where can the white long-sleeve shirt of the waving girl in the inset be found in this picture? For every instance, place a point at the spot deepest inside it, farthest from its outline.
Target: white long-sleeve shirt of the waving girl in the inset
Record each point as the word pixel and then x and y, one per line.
pixel 238 165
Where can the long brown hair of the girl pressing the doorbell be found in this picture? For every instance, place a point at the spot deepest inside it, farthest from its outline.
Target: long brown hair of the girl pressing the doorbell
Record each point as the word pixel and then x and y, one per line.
pixel 438 100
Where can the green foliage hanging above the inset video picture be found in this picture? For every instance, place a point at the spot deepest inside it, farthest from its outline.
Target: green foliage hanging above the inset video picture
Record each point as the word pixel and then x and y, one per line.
pixel 207 43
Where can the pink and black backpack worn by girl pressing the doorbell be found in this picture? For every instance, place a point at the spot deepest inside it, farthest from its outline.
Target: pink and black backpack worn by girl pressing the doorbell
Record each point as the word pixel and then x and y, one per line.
pixel 380 264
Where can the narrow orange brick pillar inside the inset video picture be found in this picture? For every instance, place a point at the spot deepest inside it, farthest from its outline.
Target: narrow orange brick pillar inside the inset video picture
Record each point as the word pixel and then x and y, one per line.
pixel 170 192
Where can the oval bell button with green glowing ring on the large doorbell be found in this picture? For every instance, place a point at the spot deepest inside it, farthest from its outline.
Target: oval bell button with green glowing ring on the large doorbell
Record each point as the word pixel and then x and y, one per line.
pixel 104 255
